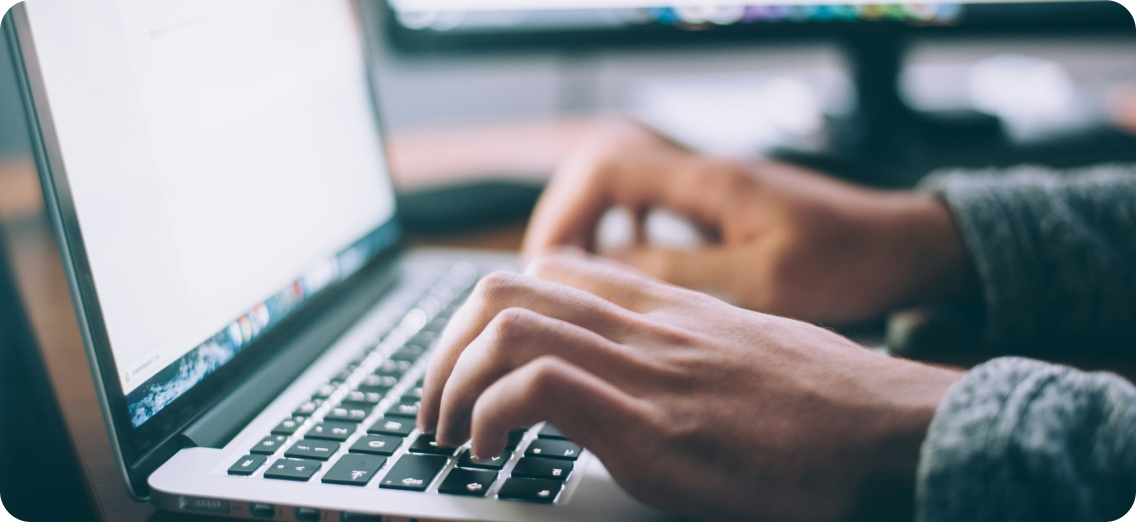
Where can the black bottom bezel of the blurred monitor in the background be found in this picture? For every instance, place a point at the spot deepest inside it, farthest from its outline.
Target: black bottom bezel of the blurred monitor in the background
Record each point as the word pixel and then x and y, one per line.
pixel 1010 19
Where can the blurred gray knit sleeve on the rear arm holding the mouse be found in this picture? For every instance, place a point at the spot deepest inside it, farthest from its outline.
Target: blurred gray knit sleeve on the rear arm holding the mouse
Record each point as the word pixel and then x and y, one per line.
pixel 1056 252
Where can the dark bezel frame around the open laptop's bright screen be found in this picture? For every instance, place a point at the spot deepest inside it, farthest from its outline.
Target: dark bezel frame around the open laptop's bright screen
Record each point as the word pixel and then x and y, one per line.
pixel 137 450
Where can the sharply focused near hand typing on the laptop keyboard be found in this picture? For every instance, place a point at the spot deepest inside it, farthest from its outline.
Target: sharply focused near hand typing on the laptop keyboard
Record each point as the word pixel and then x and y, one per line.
pixel 694 406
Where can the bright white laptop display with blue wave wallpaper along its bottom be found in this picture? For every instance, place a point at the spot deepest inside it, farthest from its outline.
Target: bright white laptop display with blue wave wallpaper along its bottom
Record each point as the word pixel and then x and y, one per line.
pixel 224 164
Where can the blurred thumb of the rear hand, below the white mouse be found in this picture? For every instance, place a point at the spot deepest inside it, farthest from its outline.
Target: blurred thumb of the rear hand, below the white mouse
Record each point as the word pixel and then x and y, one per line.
pixel 711 270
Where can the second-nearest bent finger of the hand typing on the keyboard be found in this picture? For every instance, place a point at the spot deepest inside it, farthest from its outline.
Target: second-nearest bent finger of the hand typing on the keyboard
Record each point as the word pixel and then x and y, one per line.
pixel 514 339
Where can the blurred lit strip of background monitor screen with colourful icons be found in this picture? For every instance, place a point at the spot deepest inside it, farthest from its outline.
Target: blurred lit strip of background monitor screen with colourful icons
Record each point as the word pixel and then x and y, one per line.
pixel 538 16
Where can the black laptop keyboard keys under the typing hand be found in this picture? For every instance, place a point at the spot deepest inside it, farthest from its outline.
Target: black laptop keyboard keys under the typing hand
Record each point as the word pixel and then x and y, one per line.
pixel 358 430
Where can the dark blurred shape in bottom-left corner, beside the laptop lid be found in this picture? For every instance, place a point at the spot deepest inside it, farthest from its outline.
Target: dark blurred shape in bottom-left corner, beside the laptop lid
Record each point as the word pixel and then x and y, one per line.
pixel 39 477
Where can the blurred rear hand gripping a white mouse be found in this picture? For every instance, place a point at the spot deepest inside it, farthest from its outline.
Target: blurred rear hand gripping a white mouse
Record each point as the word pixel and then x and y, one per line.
pixel 788 241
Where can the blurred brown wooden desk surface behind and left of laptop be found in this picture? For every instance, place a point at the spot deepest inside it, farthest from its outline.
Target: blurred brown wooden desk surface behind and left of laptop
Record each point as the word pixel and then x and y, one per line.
pixel 491 150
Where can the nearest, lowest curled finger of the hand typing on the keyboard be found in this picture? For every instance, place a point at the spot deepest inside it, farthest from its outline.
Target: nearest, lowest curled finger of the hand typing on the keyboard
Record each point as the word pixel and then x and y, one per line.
pixel 588 410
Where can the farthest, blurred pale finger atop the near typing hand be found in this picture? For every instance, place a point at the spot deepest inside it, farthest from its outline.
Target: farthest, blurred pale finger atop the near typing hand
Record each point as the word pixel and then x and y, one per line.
pixel 602 277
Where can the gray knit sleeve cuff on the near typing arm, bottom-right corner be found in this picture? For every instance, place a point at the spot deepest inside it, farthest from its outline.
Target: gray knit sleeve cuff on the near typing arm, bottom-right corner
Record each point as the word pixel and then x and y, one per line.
pixel 1023 441
